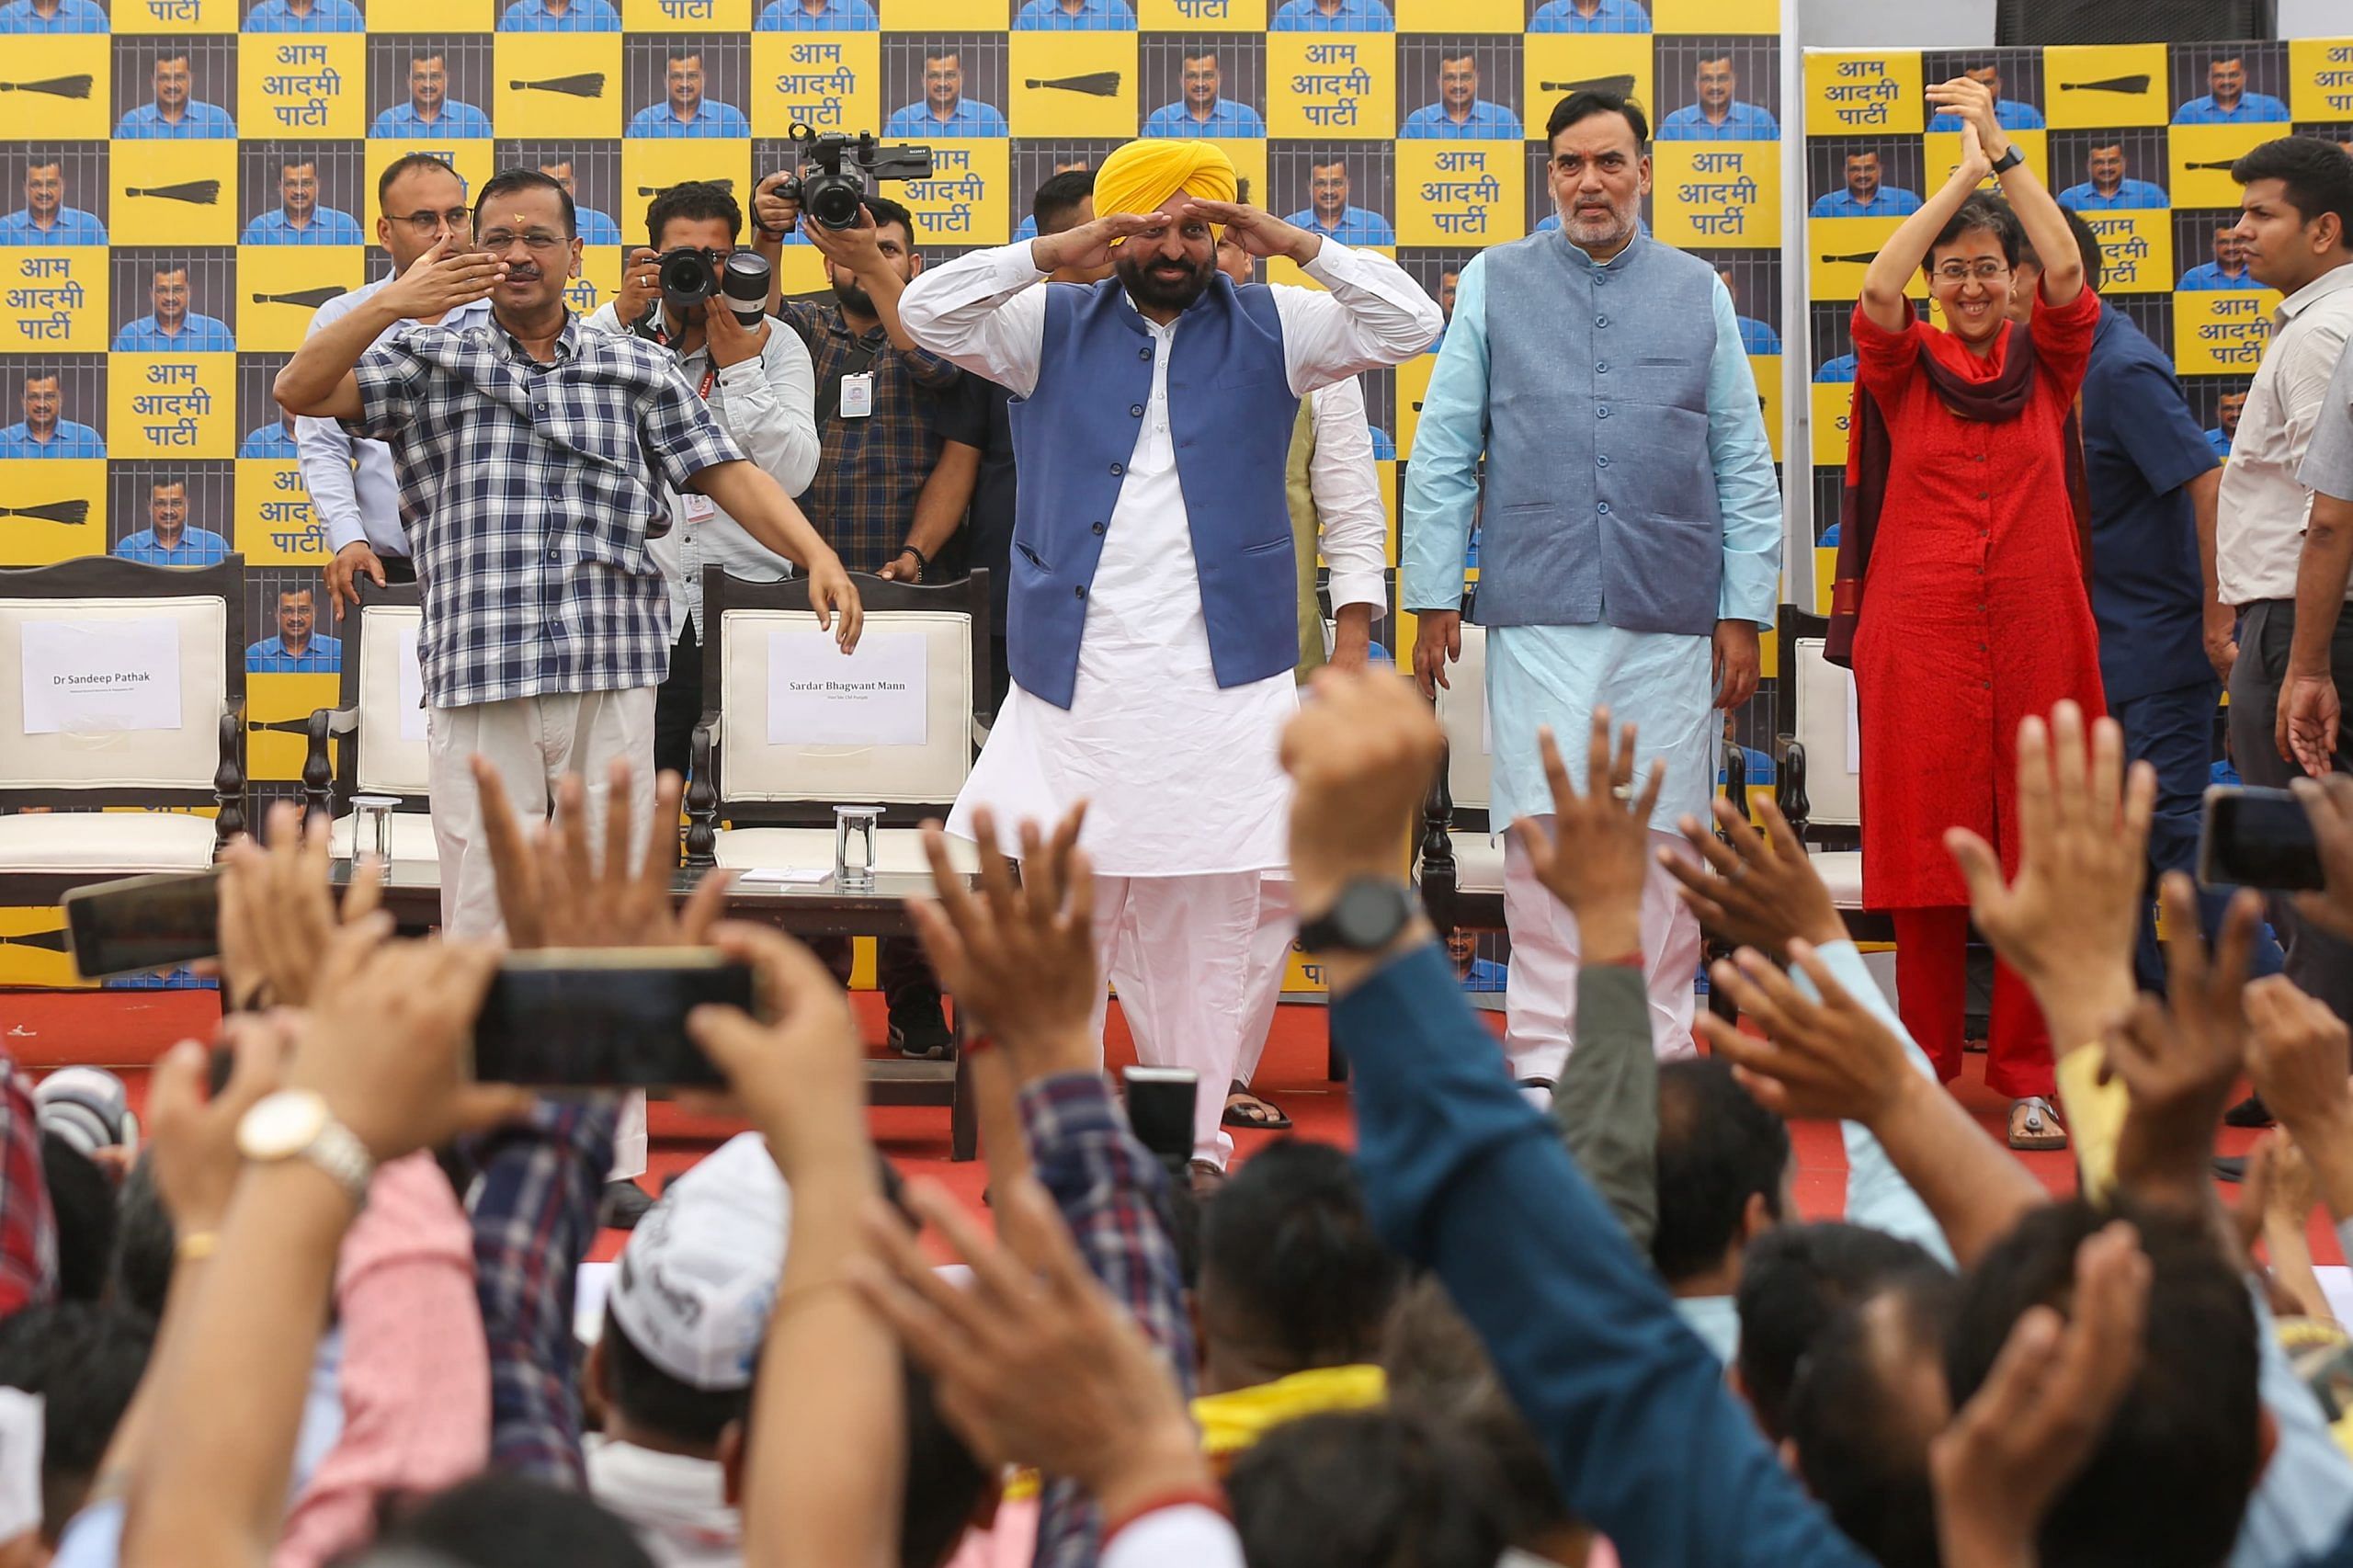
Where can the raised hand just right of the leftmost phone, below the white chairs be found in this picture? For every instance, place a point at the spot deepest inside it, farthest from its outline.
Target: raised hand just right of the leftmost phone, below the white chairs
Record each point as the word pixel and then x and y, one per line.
pixel 276 910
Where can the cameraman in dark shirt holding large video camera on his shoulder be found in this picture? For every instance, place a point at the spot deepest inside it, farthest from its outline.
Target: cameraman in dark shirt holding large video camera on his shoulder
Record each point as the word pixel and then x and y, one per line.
pixel 900 437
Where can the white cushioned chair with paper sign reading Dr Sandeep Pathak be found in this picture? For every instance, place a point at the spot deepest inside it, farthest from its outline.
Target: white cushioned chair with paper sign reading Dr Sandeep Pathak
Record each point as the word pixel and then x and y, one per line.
pixel 166 757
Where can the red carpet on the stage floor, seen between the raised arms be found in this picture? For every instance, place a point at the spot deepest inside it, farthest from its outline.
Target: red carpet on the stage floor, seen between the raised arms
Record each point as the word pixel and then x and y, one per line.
pixel 126 1030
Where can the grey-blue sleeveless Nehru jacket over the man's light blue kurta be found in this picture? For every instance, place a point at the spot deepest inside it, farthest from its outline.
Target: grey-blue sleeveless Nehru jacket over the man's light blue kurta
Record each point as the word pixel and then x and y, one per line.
pixel 1599 491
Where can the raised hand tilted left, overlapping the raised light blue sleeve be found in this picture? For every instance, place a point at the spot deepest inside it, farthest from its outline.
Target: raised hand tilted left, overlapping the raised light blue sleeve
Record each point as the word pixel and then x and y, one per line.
pixel 1818 1058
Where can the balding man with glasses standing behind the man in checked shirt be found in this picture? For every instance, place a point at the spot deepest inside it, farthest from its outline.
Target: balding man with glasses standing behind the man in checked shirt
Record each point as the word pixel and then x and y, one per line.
pixel 352 481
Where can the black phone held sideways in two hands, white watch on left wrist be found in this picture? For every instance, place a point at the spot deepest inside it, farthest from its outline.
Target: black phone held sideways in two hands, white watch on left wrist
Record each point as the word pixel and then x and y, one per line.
pixel 604 1021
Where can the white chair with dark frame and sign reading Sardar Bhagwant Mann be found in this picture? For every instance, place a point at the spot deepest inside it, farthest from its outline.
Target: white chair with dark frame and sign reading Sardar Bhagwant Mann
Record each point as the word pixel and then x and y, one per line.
pixel 778 797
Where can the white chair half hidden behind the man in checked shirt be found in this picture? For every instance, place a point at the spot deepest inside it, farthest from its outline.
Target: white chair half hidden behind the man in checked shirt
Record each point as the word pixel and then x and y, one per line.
pixel 382 729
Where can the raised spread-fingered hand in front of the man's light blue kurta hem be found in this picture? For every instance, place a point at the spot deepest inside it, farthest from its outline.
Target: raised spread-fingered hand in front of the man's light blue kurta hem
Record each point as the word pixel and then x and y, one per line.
pixel 1599 853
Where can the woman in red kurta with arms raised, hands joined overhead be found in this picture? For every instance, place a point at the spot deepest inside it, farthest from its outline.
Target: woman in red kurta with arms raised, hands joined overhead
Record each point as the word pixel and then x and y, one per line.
pixel 1973 611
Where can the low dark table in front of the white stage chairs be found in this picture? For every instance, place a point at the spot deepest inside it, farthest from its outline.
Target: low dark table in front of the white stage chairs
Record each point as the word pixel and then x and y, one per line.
pixel 804 910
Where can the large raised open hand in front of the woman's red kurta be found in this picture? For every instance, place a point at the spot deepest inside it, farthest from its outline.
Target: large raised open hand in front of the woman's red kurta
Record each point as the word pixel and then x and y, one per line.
pixel 2069 919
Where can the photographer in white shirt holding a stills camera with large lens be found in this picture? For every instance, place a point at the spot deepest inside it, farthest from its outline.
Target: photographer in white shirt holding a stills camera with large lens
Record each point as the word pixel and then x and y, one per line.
pixel 684 293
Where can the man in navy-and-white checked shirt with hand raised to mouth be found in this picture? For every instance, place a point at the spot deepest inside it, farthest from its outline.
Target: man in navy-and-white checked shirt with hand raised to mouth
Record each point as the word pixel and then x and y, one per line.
pixel 535 460
